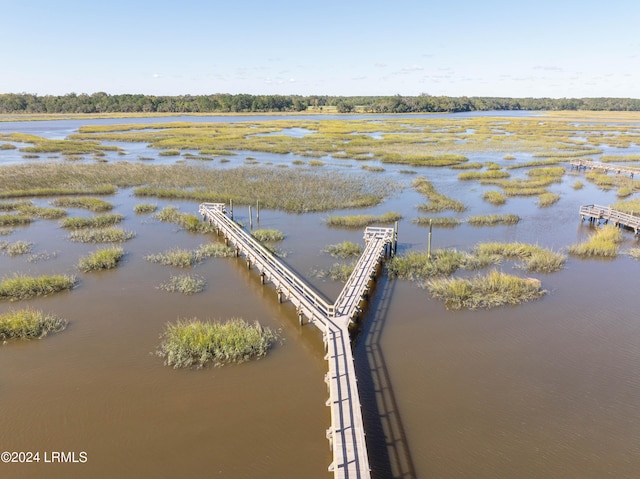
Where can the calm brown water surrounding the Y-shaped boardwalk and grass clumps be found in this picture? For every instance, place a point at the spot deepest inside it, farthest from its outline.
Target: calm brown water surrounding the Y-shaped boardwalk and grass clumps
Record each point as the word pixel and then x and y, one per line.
pixel 549 389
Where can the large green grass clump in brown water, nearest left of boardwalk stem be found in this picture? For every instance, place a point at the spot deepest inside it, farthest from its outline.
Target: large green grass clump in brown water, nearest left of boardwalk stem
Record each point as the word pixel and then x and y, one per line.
pixel 193 343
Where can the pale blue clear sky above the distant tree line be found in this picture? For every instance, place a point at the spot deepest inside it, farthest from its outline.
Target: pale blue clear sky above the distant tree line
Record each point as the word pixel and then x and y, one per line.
pixel 542 48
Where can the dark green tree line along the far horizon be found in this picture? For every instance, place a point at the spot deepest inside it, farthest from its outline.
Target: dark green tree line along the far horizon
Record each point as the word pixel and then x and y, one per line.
pixel 243 103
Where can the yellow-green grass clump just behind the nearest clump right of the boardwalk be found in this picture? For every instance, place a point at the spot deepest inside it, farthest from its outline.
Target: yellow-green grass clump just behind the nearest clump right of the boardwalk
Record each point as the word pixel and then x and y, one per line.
pixel 533 257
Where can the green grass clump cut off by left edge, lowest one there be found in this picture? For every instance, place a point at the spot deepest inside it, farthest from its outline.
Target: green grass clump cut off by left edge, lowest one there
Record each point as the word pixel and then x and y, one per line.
pixel 29 324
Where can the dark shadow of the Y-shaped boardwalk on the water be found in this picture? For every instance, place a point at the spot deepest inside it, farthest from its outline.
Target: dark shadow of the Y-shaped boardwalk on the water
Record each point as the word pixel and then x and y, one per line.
pixel 388 448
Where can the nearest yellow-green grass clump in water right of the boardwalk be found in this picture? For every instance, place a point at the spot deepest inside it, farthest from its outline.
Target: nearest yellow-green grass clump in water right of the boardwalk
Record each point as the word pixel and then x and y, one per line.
pixel 488 291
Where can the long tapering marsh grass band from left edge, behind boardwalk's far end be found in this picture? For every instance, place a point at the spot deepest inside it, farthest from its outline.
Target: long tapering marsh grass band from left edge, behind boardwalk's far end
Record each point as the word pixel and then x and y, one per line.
pixel 291 190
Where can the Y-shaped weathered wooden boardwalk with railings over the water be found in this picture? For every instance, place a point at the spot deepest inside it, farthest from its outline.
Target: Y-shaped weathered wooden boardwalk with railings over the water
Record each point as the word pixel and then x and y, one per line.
pixel 346 435
